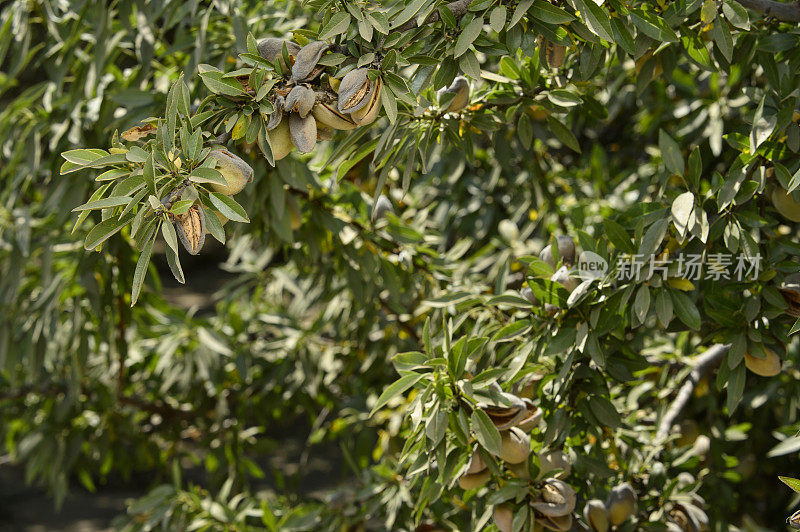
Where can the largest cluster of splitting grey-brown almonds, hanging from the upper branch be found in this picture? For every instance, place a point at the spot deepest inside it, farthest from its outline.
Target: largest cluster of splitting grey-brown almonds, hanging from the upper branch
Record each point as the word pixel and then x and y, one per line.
pixel 305 109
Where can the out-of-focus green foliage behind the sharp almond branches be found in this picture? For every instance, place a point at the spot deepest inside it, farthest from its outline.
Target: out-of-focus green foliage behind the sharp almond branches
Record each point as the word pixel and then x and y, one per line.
pixel 294 334
